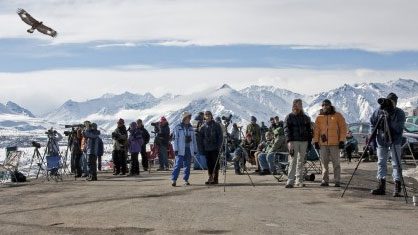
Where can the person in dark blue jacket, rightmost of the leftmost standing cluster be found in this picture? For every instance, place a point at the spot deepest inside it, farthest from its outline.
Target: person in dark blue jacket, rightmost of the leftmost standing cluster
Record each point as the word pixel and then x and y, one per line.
pixel 91 134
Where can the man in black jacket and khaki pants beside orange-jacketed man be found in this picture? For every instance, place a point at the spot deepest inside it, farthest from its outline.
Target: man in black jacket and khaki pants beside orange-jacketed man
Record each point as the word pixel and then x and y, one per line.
pixel 298 133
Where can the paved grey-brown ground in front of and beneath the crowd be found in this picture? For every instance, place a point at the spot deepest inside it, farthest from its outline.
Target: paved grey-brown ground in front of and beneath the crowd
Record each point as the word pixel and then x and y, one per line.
pixel 150 205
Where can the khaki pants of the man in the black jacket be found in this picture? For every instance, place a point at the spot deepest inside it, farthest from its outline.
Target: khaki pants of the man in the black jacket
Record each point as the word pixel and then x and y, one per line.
pixel 297 162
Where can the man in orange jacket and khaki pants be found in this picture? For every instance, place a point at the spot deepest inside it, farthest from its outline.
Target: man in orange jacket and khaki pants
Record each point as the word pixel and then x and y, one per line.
pixel 329 137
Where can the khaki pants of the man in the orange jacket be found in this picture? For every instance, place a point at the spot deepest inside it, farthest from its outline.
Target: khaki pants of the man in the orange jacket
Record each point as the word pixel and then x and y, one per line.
pixel 327 154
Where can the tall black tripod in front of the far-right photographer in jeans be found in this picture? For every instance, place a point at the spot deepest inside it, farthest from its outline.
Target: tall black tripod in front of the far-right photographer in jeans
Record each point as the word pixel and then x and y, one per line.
pixel 382 122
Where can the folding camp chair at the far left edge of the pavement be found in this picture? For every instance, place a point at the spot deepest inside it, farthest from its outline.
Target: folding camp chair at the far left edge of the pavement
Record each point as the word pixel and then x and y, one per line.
pixel 10 164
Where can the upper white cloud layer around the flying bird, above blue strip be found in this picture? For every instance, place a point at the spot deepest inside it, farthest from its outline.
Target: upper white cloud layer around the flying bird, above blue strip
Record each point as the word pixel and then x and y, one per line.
pixel 382 25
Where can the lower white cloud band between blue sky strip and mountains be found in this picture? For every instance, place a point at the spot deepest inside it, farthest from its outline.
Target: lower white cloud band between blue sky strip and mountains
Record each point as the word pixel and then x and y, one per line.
pixel 41 91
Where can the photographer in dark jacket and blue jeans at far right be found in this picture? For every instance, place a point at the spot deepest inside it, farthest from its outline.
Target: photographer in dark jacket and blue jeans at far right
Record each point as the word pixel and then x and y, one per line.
pixel 386 143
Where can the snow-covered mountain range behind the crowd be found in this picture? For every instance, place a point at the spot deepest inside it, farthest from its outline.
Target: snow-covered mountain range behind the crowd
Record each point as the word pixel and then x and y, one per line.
pixel 356 102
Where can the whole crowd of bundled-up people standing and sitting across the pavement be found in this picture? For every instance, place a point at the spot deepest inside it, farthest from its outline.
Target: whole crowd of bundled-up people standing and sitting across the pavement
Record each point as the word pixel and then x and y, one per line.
pixel 258 144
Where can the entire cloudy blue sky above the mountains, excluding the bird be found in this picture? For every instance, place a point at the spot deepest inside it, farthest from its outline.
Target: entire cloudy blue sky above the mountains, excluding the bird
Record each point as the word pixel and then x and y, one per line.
pixel 182 46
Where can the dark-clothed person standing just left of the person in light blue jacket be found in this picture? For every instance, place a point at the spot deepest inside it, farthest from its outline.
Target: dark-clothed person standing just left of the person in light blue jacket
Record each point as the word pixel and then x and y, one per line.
pixel 161 140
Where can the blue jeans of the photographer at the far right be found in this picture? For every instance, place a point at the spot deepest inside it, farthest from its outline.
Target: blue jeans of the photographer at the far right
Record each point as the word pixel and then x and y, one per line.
pixel 382 156
